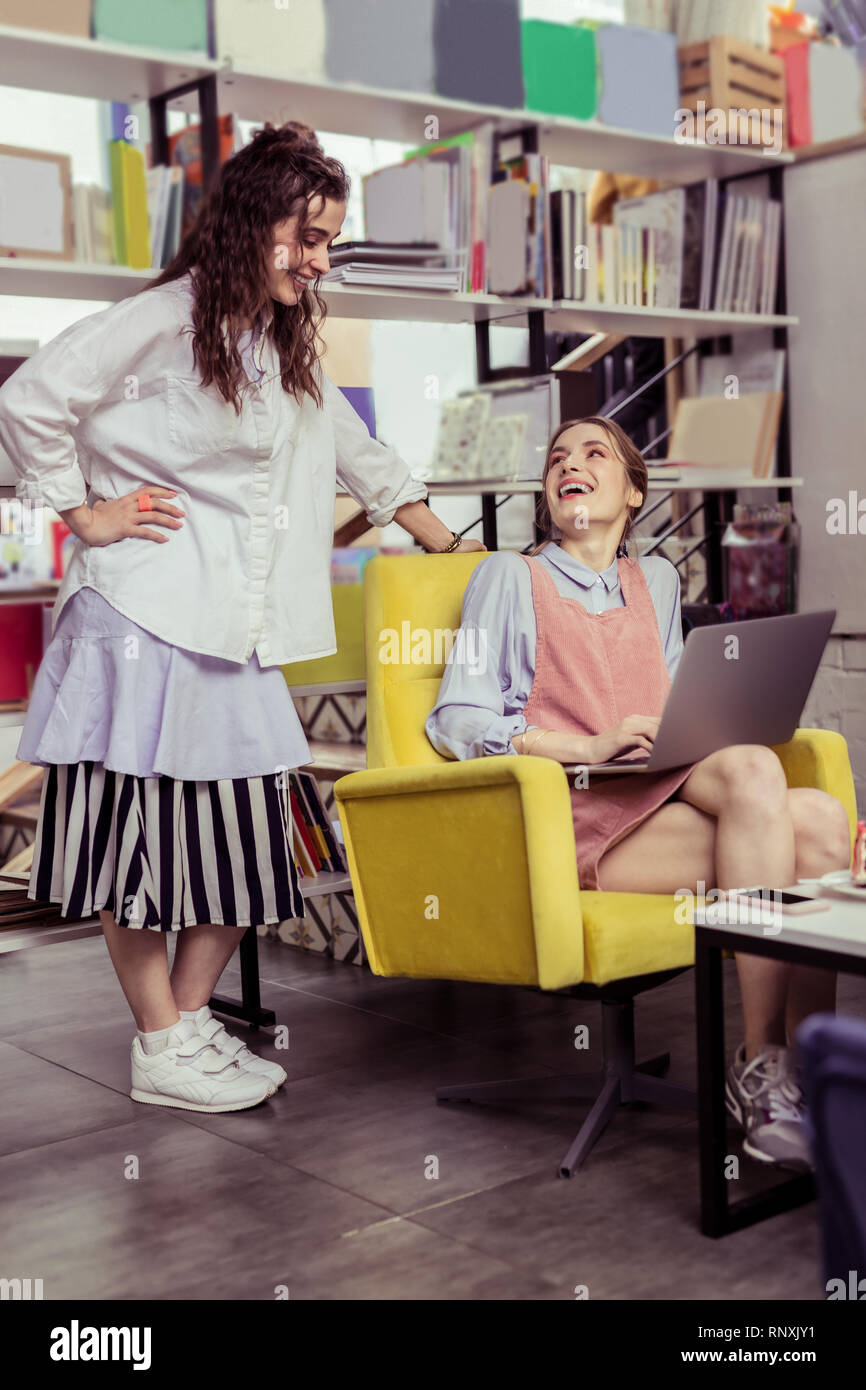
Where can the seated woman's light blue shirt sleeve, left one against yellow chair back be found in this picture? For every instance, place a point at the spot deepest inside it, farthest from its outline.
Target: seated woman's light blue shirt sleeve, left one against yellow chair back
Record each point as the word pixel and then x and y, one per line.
pixel 490 673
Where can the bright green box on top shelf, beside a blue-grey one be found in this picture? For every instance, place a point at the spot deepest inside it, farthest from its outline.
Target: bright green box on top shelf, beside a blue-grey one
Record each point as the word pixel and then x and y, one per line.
pixel 559 69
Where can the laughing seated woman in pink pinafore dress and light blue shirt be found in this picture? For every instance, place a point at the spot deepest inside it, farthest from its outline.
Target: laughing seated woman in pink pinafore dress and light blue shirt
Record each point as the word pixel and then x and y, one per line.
pixel 582 644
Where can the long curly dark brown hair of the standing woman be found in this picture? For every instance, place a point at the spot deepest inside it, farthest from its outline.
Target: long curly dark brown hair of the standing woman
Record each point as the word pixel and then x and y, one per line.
pixel 229 251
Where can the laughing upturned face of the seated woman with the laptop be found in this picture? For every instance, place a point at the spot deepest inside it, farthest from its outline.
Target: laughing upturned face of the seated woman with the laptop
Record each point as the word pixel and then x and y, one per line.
pixel 587 486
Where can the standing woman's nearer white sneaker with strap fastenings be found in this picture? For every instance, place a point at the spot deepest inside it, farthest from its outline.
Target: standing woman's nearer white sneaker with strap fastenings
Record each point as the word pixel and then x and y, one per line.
pixel 194 1075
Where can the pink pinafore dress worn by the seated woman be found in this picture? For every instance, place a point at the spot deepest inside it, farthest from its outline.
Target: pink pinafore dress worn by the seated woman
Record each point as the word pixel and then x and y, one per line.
pixel 591 672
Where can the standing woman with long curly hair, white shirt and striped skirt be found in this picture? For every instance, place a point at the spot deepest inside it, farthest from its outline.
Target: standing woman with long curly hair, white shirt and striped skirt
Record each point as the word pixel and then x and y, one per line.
pixel 193 444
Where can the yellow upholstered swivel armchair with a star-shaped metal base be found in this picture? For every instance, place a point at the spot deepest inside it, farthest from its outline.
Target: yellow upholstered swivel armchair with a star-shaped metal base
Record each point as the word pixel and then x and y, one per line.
pixel 468 871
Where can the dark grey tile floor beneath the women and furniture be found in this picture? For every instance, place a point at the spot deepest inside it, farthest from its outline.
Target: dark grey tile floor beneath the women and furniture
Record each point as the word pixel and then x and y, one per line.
pixel 329 1188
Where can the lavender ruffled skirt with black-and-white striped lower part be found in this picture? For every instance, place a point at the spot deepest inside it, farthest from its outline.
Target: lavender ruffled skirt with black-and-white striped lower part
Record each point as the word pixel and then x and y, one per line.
pixel 163 801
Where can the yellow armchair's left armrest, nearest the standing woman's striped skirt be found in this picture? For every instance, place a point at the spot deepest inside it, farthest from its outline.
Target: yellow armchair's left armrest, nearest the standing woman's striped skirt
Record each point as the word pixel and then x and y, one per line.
pixel 466 871
